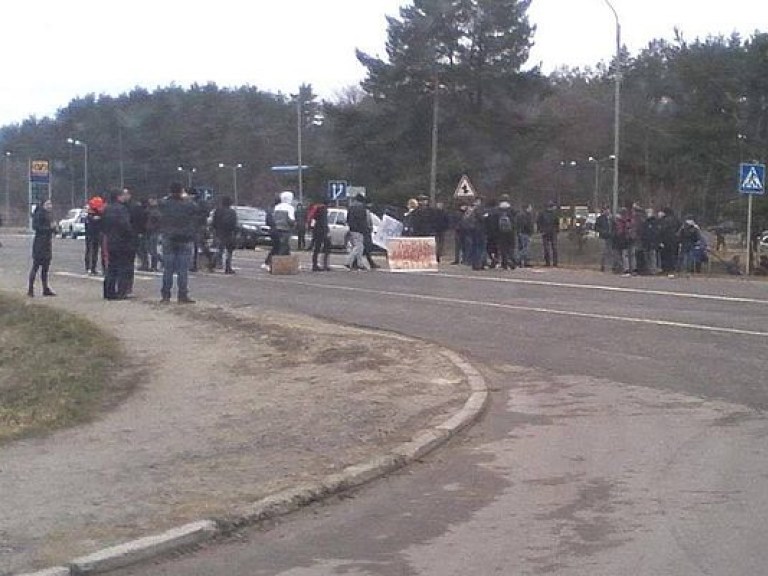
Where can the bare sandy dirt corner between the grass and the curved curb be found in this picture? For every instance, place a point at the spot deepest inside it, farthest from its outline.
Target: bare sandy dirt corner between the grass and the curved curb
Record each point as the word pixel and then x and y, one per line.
pixel 231 405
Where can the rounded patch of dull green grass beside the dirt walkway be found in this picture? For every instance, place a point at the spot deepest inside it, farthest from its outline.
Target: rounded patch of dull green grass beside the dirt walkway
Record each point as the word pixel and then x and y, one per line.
pixel 56 369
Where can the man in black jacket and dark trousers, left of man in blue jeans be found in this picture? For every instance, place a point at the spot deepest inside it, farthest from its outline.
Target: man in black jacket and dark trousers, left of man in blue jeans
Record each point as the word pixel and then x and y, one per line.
pixel 121 247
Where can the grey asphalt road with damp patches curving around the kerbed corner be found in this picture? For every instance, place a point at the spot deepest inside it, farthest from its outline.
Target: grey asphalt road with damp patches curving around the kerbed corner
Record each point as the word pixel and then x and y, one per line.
pixel 626 431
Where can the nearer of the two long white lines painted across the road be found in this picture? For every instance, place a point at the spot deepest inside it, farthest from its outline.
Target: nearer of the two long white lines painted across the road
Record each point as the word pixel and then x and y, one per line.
pixel 535 309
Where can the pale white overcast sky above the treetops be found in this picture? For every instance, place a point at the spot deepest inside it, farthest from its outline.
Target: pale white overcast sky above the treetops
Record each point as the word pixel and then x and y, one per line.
pixel 55 50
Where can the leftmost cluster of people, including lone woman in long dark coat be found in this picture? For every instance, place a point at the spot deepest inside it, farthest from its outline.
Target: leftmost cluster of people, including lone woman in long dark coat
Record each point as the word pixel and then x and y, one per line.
pixel 168 233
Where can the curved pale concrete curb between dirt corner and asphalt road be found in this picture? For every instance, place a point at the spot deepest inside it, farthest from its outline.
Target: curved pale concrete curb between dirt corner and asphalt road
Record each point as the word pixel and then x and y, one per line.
pixel 291 499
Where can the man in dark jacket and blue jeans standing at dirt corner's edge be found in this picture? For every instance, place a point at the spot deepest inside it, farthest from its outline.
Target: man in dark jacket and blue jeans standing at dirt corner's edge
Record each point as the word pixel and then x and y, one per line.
pixel 178 229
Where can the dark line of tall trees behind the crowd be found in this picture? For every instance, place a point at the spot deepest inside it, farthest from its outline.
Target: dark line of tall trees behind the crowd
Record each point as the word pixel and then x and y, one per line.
pixel 691 111
